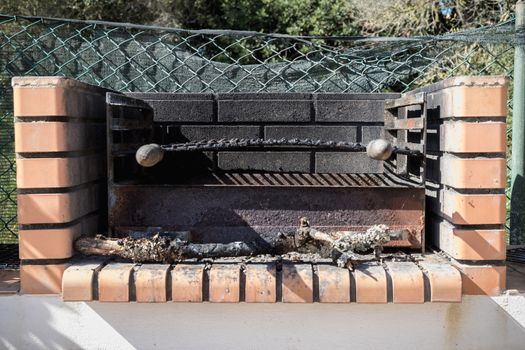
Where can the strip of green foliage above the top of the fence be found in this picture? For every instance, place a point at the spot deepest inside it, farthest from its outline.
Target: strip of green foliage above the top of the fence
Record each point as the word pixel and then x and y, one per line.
pixel 295 17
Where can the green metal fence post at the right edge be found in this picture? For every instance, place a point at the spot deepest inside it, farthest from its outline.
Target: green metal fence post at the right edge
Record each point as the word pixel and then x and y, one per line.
pixel 517 209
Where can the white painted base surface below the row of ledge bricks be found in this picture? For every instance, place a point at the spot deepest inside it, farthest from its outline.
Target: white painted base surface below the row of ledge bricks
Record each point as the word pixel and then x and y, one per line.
pixel 31 322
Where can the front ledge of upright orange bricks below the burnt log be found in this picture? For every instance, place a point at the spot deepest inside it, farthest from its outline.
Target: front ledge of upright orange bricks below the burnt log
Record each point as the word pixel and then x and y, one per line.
pixel 428 280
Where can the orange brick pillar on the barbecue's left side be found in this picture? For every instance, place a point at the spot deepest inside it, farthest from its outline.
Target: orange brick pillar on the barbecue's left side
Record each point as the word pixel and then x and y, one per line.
pixel 60 150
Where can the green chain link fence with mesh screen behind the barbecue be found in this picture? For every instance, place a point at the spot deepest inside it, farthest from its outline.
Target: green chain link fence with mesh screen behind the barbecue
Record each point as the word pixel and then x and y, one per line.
pixel 151 59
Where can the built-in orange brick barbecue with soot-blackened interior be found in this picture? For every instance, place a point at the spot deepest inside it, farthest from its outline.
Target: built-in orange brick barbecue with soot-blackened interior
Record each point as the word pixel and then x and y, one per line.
pixel 441 193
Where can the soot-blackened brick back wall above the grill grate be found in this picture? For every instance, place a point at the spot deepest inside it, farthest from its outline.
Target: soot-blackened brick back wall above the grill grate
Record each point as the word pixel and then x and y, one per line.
pixel 340 117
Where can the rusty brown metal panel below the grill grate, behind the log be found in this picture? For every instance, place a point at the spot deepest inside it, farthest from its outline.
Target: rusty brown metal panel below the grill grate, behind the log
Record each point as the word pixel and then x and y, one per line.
pixel 244 213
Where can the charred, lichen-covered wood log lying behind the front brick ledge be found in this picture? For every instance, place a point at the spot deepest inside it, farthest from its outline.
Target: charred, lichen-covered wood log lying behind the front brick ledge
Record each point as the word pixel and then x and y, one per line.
pixel 342 247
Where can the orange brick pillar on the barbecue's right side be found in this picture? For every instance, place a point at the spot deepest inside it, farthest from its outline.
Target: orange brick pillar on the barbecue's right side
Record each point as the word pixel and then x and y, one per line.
pixel 467 177
